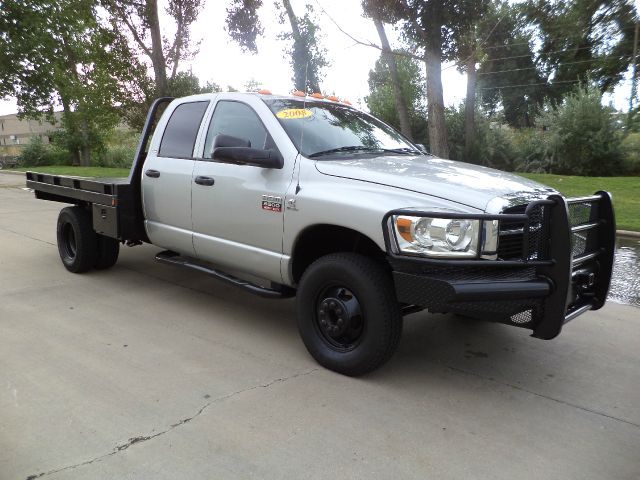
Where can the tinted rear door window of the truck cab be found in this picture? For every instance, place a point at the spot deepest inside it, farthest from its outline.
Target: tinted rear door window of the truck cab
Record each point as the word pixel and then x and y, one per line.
pixel 180 134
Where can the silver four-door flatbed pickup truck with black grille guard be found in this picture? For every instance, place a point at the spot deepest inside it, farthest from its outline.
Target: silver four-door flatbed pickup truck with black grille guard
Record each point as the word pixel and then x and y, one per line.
pixel 304 196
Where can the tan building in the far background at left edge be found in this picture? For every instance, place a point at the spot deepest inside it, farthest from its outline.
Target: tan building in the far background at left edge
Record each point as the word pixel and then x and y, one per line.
pixel 15 132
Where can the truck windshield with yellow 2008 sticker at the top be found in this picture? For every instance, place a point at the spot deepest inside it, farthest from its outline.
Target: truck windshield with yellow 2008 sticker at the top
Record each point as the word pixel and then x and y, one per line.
pixel 326 130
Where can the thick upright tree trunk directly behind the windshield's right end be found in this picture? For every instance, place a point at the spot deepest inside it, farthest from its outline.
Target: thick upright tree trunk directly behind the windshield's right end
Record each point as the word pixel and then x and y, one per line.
pixel 438 142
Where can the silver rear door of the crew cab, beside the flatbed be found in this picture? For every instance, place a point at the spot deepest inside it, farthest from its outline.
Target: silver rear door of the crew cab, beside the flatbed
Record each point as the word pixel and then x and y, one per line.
pixel 166 177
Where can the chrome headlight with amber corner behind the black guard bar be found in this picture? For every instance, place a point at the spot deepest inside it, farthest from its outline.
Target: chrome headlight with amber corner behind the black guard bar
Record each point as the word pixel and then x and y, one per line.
pixel 443 237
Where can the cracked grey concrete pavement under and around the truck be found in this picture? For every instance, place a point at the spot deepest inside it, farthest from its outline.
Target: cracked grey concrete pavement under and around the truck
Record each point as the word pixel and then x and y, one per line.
pixel 146 371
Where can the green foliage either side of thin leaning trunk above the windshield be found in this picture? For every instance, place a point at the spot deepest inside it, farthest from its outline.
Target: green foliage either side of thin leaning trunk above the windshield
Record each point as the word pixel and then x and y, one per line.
pixel 381 98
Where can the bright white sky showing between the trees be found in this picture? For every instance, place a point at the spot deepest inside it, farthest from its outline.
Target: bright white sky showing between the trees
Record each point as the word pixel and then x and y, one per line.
pixel 223 62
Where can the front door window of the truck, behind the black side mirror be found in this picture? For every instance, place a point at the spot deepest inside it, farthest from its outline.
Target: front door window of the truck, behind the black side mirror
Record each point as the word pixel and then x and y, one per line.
pixel 238 120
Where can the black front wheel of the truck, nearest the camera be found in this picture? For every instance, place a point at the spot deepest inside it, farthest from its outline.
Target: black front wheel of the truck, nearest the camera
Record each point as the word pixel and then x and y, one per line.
pixel 348 316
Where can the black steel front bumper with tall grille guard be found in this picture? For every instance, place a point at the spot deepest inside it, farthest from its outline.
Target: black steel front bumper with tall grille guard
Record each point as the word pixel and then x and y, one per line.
pixel 564 268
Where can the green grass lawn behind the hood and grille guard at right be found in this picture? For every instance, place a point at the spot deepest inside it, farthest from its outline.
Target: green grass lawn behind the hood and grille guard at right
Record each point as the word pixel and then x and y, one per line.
pixel 625 191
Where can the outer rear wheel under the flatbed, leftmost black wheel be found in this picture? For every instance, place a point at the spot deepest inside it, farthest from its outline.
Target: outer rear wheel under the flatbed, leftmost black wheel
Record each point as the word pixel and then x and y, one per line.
pixel 77 241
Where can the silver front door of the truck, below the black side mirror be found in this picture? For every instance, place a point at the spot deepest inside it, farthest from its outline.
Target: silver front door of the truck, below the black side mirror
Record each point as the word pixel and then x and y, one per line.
pixel 237 210
